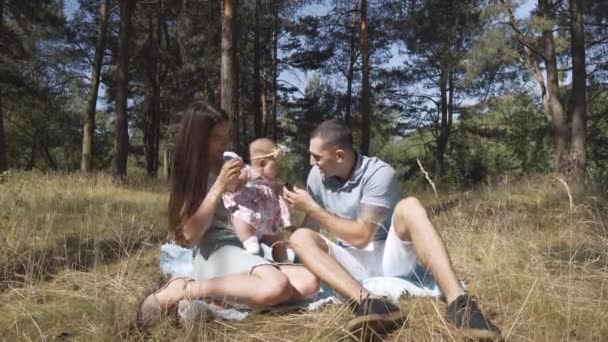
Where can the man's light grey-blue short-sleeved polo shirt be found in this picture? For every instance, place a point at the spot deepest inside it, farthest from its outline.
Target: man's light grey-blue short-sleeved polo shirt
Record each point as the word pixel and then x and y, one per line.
pixel 373 183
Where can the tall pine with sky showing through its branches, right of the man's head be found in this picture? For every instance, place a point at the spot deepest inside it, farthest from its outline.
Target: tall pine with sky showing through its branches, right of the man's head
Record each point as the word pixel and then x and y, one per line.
pixel 438 34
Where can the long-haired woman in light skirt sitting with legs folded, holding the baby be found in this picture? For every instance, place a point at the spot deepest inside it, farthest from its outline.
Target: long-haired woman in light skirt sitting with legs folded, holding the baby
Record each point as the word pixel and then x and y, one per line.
pixel 197 218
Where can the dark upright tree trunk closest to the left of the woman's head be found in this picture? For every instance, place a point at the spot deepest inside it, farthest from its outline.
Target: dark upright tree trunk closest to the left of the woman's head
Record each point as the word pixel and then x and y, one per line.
pixel 152 104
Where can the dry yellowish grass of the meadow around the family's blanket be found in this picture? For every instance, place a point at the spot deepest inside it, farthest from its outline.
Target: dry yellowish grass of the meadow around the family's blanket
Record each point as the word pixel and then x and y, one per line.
pixel 79 252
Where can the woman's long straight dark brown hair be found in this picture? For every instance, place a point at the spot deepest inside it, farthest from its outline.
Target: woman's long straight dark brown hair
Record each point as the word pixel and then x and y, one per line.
pixel 190 169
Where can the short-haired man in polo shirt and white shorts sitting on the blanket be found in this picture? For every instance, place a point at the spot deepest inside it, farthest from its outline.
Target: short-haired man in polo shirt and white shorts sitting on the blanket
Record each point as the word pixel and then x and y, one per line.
pixel 357 199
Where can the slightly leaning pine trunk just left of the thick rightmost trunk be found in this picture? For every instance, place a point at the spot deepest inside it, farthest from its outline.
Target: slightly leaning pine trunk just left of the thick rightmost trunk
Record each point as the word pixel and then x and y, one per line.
pixel 557 110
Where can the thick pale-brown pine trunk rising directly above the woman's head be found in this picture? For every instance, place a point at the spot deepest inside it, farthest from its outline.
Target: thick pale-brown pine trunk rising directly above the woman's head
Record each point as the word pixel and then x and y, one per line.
pixel 228 76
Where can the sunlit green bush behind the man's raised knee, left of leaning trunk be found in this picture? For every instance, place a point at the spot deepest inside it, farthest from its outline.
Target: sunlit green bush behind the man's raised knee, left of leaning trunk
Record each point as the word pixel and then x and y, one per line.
pixel 510 136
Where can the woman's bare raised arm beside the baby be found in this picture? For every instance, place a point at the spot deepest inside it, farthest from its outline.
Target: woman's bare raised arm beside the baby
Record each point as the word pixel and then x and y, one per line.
pixel 196 226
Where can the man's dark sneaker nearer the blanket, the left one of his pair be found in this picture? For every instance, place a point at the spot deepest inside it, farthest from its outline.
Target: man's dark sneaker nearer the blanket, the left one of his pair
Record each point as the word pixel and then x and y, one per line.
pixel 374 316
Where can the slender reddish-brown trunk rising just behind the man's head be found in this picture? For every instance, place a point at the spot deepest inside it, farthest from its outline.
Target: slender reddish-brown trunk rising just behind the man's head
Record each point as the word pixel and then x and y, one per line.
pixel 365 86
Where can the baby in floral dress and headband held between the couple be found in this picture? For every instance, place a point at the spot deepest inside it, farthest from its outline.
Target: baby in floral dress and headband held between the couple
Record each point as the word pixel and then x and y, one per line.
pixel 258 211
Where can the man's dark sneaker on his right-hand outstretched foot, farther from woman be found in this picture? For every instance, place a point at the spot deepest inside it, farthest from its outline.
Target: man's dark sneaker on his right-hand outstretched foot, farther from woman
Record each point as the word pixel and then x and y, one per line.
pixel 464 313
